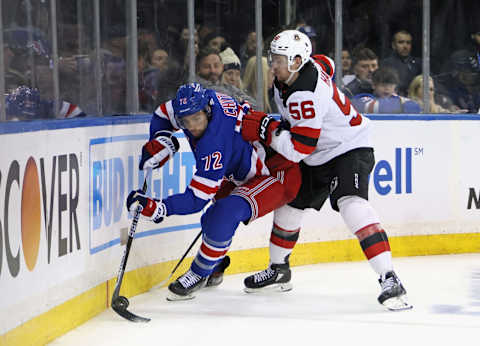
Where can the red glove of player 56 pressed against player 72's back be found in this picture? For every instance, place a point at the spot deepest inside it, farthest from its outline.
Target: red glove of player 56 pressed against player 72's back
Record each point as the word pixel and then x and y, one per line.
pixel 258 126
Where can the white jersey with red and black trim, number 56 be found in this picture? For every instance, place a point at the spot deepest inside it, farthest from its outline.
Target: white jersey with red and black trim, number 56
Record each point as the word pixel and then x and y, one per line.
pixel 322 122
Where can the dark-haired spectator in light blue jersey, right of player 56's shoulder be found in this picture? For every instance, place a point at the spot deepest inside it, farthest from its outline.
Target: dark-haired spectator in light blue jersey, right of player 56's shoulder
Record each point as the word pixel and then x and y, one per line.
pixel 385 99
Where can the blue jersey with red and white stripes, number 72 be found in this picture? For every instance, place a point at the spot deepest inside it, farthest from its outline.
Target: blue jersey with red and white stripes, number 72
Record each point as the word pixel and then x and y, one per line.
pixel 220 152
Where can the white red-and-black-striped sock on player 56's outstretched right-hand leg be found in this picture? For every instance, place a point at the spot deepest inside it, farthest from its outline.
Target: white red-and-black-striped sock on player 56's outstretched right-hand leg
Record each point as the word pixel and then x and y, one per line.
pixel 363 221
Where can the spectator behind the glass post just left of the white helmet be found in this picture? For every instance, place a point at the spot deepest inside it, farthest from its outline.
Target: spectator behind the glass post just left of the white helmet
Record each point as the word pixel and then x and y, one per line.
pixel 250 83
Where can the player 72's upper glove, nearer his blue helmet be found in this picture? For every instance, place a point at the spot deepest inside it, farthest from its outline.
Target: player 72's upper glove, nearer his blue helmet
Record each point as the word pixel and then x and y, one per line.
pixel 159 150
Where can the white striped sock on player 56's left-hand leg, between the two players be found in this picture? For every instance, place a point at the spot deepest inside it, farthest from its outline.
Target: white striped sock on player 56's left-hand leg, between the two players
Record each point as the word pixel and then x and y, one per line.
pixel 285 232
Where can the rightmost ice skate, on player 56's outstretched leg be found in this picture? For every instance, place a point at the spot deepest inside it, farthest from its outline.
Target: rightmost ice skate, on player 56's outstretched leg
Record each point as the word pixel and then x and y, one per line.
pixel 394 295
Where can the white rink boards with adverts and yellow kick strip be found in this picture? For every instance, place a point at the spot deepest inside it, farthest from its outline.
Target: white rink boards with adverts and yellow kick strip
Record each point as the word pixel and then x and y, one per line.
pixel 63 187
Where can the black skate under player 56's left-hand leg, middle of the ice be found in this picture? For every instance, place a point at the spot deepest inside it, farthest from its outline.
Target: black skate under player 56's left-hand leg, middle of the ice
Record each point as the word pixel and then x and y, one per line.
pixel 275 278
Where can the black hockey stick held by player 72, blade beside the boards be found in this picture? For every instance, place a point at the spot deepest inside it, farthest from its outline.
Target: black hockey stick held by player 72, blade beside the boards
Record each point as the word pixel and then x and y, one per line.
pixel 120 303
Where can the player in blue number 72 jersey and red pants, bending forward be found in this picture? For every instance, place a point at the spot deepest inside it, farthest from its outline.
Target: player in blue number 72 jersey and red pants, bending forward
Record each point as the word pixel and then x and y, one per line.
pixel 257 184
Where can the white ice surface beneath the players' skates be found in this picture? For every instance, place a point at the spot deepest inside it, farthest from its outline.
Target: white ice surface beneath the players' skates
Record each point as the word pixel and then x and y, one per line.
pixel 330 304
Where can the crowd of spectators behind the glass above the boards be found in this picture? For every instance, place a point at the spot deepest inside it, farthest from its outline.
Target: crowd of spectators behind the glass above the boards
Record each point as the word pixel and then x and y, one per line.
pixel 381 57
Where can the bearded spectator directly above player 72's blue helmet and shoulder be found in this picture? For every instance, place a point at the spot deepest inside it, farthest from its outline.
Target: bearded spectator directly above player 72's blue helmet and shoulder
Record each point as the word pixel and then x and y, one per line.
pixel 209 72
